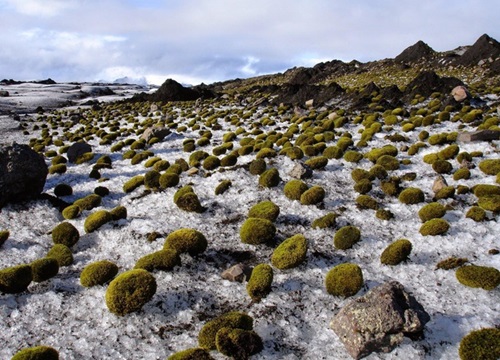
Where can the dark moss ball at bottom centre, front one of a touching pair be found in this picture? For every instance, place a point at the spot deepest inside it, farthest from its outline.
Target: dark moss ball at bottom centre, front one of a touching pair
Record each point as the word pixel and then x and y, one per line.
pixel 238 343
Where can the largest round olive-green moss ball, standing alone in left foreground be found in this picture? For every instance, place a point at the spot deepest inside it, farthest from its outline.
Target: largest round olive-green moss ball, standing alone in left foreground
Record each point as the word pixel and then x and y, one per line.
pixel 130 291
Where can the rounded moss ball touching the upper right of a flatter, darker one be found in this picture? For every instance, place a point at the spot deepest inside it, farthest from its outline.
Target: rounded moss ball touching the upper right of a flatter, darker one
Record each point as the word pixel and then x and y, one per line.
pixel 186 240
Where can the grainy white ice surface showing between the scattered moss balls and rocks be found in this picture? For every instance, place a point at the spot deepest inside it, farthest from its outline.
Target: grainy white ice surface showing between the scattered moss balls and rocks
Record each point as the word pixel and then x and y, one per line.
pixel 293 320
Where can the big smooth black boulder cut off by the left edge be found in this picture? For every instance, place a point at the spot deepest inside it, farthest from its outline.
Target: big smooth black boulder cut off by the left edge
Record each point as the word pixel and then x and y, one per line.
pixel 22 173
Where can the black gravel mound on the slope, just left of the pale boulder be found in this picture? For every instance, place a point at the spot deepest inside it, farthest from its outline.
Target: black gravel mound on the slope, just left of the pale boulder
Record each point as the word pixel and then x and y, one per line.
pixel 428 82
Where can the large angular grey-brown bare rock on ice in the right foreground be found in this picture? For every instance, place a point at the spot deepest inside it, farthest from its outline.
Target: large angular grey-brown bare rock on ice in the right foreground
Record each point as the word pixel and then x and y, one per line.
pixel 379 320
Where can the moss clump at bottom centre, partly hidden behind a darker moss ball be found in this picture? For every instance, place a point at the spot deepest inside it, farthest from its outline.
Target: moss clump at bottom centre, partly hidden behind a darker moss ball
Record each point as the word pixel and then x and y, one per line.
pixel 232 320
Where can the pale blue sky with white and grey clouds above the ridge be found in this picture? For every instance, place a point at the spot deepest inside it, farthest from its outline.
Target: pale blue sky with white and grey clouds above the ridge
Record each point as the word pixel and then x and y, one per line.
pixel 196 41
